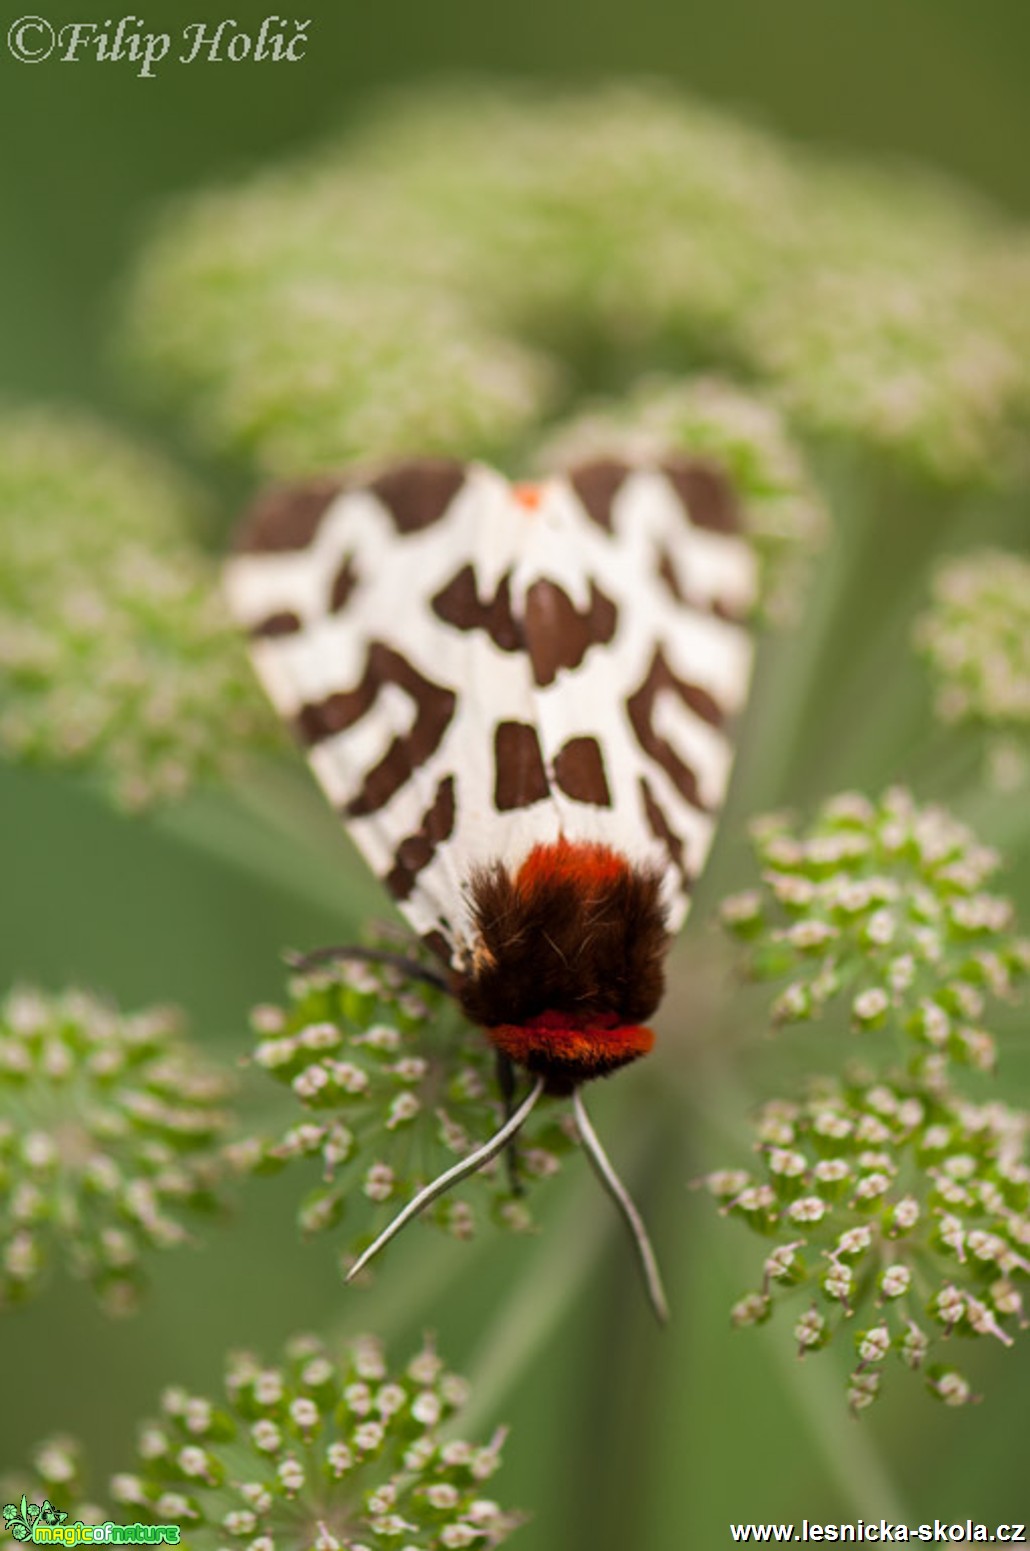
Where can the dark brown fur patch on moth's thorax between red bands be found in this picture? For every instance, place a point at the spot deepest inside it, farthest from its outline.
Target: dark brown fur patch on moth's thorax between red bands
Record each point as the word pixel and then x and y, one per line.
pixel 590 947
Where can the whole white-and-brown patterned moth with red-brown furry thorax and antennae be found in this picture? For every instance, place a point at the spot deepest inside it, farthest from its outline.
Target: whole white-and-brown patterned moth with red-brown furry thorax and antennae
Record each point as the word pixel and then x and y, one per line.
pixel 517 697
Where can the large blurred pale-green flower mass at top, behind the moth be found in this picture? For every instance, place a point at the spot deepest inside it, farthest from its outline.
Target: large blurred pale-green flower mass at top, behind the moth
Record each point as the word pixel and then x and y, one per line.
pixel 451 274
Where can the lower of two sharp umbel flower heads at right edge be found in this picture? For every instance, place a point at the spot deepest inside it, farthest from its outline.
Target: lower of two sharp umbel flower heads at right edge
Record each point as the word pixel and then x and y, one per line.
pixel 893 1209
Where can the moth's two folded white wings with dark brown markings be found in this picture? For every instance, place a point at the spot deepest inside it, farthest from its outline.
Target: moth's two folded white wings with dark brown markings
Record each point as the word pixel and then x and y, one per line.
pixel 479 668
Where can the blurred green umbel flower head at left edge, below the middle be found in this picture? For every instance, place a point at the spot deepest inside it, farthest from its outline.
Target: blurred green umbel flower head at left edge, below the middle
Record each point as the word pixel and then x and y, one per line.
pixel 109 1142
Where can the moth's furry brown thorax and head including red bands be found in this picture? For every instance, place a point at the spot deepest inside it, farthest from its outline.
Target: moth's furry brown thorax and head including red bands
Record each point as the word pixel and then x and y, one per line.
pixel 567 961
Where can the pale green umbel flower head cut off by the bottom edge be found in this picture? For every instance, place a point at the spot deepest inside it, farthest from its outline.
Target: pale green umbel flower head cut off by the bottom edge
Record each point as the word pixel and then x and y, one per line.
pixel 320 1453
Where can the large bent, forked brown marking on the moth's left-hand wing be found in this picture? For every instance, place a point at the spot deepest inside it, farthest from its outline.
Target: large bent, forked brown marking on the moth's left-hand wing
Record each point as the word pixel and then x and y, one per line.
pixel 435 708
